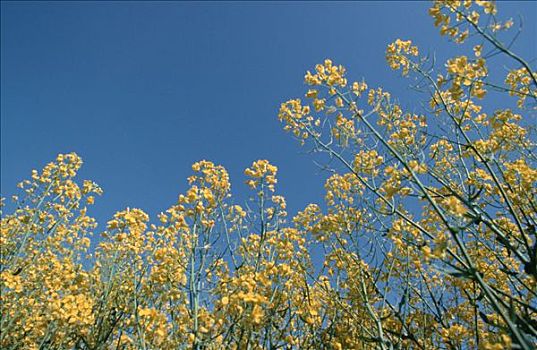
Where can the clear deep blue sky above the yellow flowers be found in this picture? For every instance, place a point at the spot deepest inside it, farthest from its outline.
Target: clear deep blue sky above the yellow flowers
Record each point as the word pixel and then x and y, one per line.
pixel 141 90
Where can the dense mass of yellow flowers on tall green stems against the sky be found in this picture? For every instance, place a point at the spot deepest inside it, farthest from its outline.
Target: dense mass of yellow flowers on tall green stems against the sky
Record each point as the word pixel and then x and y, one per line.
pixel 426 237
